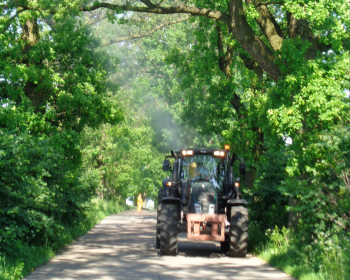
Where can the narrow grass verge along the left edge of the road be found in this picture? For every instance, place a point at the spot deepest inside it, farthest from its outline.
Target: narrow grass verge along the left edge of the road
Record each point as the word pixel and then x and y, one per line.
pixel 28 257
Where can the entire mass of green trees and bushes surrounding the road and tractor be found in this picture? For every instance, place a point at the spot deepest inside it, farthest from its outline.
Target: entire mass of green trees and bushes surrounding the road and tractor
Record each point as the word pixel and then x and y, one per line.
pixel 248 73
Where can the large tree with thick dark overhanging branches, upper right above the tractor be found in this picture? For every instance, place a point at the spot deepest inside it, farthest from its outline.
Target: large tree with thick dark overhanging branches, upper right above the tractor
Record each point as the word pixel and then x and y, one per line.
pixel 281 66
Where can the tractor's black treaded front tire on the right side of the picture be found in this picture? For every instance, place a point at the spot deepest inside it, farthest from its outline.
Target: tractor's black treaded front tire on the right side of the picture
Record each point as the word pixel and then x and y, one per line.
pixel 238 232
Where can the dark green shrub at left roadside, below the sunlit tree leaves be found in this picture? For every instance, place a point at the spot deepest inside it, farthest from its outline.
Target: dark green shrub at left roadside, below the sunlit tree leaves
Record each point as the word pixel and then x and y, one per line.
pixel 40 189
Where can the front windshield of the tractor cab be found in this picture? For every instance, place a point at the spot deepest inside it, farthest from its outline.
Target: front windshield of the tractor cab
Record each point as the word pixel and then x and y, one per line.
pixel 204 167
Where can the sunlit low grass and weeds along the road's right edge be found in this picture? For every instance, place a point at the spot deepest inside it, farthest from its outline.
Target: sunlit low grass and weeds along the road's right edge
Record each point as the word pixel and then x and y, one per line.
pixel 325 257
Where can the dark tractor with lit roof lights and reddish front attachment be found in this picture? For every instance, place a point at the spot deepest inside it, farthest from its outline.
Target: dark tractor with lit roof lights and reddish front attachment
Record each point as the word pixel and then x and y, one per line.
pixel 202 198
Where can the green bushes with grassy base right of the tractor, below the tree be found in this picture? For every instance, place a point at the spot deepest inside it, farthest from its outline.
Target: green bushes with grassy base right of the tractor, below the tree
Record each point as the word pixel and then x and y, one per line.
pixel 317 246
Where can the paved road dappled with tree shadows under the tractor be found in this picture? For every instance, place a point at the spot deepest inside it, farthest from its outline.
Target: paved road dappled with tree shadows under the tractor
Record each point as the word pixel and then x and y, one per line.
pixel 122 246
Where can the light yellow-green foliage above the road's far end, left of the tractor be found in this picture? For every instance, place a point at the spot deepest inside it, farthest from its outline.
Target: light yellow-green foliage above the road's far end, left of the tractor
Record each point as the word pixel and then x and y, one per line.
pixel 123 159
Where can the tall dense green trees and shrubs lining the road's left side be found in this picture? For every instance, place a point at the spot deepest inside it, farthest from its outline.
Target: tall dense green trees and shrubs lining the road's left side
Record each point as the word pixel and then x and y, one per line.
pixel 49 91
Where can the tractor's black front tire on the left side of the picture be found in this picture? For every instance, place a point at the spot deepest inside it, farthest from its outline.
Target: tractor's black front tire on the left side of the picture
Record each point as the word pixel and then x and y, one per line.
pixel 168 229
